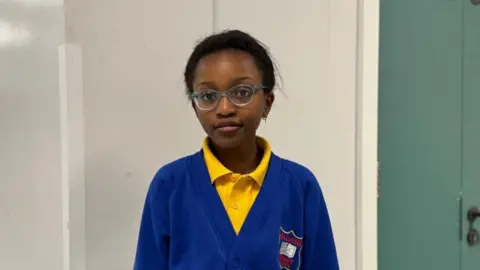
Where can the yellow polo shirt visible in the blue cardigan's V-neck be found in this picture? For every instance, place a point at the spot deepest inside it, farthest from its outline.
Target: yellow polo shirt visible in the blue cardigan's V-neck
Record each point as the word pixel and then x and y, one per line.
pixel 238 192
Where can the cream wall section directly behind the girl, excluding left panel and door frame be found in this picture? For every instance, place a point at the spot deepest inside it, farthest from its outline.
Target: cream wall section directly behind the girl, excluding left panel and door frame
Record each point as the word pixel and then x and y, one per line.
pixel 137 117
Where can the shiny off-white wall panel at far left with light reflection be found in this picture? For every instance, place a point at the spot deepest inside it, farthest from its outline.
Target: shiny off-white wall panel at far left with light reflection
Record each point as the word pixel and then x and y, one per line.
pixel 31 228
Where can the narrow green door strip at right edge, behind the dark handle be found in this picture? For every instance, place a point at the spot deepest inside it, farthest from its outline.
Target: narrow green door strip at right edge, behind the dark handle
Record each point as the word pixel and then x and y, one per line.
pixel 471 129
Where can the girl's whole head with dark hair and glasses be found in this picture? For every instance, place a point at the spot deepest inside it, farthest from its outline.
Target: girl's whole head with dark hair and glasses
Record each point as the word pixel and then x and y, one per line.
pixel 230 79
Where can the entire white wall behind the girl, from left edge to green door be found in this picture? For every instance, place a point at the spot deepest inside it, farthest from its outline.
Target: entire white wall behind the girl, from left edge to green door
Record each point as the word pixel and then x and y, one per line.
pixel 110 111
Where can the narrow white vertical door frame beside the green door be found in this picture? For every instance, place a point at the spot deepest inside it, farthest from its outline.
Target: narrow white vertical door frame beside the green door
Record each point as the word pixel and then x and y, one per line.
pixel 366 164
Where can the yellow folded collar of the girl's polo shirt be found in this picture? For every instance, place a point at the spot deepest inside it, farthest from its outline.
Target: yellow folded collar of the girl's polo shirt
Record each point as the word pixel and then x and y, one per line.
pixel 216 169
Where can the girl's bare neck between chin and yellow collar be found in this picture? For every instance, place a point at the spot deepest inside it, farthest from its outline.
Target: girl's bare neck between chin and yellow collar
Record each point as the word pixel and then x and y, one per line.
pixel 242 159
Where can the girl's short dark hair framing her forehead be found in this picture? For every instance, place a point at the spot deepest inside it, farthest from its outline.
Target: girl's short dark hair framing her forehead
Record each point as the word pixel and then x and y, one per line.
pixel 237 40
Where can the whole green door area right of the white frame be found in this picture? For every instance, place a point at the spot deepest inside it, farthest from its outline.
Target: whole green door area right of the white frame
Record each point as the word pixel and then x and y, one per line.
pixel 429 134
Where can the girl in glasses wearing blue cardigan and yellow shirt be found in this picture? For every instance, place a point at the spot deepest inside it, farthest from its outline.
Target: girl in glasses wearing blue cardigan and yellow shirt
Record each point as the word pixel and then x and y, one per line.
pixel 234 204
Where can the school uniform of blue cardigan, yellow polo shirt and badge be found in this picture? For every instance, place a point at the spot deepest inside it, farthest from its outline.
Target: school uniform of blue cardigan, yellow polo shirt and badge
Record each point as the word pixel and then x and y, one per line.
pixel 198 215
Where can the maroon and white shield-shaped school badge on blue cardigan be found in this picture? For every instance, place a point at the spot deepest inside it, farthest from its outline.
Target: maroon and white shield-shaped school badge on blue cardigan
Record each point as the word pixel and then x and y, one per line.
pixel 290 247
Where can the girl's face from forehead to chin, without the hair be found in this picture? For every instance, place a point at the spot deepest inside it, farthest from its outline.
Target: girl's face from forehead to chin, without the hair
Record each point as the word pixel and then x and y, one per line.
pixel 226 124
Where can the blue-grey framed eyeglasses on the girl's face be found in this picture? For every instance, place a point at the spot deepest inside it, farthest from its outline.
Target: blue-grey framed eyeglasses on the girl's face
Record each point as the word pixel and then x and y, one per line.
pixel 239 95
